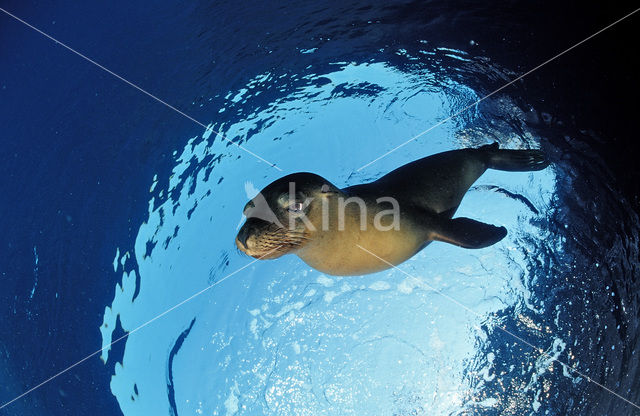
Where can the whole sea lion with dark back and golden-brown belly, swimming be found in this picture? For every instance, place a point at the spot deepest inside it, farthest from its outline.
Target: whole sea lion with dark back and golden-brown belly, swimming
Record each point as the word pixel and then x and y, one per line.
pixel 394 217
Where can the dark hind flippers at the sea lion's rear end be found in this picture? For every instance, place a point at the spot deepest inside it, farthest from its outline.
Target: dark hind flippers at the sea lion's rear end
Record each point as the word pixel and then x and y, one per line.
pixel 514 160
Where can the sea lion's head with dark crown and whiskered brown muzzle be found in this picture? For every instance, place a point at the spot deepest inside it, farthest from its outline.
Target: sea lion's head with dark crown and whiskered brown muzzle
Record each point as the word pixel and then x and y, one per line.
pixel 280 219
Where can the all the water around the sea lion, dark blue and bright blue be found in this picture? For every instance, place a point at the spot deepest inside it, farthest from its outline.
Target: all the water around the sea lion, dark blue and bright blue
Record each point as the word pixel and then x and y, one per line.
pixel 325 87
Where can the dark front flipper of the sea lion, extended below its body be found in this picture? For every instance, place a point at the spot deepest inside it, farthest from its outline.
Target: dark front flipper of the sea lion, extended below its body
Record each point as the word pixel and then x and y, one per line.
pixel 468 233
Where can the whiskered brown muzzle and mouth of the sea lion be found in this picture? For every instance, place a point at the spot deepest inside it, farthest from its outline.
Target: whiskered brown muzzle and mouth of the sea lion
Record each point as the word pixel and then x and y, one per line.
pixel 264 240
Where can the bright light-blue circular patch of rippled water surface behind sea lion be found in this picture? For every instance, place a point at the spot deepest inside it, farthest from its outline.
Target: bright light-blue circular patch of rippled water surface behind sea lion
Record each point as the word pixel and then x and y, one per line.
pixel 280 338
